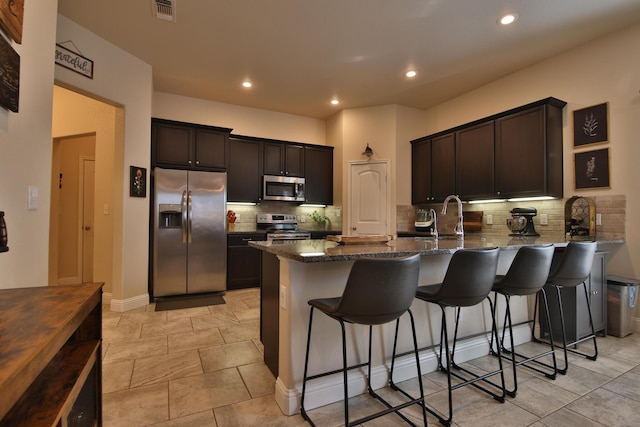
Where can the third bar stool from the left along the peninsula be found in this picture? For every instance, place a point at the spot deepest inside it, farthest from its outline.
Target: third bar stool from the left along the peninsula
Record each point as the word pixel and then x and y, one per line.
pixel 527 275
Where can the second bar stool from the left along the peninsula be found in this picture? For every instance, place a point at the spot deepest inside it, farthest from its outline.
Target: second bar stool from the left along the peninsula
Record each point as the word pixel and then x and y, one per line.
pixel 467 282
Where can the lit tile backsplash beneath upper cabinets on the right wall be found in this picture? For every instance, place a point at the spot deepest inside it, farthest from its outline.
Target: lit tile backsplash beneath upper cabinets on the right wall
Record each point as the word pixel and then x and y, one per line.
pixel 611 208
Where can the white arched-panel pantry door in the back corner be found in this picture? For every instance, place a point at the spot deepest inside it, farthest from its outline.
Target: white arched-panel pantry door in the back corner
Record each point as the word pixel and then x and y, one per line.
pixel 369 198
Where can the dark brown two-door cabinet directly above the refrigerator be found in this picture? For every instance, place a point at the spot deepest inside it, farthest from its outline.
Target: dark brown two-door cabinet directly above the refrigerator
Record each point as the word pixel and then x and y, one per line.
pixel 188 146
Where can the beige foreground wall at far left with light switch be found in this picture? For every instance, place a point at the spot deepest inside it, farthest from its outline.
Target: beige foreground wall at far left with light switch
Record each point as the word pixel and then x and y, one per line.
pixel 25 153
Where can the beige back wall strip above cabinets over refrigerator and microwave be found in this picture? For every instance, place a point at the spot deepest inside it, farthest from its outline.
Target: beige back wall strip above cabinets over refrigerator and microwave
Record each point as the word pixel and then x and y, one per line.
pixel 243 120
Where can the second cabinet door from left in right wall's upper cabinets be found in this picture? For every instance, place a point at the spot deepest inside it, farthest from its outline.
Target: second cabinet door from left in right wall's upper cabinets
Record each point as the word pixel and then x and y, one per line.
pixel 442 167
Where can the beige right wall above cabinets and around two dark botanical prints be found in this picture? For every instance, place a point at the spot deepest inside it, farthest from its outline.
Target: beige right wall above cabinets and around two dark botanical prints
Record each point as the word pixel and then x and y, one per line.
pixel 604 70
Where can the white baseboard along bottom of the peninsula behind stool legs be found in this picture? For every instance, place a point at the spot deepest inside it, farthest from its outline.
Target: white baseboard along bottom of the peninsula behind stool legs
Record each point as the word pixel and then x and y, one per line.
pixel 328 390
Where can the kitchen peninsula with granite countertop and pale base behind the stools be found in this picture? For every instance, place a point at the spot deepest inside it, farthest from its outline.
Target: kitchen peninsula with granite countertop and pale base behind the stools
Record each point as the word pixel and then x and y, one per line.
pixel 294 273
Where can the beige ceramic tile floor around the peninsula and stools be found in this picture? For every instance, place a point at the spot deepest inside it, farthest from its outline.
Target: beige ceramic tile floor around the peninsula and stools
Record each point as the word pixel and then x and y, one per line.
pixel 203 367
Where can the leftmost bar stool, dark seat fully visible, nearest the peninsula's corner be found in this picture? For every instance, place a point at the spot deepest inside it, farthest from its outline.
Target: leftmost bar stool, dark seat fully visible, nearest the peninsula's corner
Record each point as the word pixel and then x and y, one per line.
pixel 377 291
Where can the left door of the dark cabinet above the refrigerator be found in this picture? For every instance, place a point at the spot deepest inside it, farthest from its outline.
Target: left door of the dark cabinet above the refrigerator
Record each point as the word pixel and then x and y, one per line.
pixel 171 144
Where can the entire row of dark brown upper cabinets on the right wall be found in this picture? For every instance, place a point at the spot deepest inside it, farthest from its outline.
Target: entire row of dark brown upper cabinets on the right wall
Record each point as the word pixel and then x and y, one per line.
pixel 516 153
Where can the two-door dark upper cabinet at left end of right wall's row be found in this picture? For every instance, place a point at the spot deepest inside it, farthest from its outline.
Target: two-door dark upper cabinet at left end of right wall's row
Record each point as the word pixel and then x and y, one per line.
pixel 432 169
